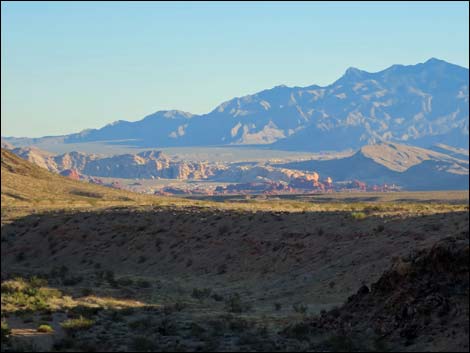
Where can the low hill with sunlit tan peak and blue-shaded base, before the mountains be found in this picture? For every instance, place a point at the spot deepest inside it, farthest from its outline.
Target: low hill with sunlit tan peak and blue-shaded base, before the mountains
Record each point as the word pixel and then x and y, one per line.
pixel 410 167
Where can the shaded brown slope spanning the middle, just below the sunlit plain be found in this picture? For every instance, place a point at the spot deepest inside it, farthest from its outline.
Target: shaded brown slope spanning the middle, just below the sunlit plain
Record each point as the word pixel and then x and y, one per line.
pixel 126 240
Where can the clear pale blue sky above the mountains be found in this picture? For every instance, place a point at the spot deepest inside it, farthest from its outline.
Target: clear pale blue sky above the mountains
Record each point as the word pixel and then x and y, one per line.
pixel 68 66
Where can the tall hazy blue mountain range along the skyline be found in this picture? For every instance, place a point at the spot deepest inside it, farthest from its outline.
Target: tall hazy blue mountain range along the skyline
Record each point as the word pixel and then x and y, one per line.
pixel 420 105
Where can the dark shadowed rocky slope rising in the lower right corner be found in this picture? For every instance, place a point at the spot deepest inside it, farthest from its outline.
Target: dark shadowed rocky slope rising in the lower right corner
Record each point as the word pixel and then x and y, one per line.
pixel 421 303
